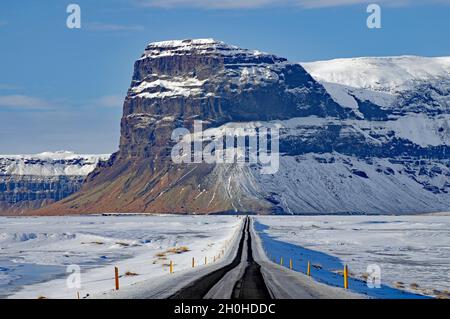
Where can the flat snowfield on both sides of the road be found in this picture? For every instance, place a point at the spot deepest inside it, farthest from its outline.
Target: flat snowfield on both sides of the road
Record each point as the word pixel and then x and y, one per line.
pixel 412 251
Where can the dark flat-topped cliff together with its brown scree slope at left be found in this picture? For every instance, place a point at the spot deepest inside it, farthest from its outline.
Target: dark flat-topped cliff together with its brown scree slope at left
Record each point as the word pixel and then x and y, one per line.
pixel 175 83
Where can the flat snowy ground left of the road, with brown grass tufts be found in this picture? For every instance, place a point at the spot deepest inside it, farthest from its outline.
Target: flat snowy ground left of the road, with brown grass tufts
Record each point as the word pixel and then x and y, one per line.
pixel 35 252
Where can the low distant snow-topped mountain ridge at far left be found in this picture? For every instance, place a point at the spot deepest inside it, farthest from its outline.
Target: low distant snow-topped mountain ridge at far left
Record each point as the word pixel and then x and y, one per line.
pixel 32 181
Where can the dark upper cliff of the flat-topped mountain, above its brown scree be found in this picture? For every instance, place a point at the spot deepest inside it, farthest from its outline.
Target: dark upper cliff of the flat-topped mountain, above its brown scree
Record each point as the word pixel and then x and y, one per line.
pixel 177 82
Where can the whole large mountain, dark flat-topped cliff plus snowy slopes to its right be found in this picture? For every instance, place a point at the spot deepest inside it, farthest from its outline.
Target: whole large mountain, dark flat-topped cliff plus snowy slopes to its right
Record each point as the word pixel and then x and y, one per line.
pixel 367 135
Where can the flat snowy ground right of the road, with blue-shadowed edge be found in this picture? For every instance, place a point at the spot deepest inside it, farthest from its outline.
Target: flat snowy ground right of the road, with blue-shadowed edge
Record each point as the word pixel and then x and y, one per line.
pixel 413 252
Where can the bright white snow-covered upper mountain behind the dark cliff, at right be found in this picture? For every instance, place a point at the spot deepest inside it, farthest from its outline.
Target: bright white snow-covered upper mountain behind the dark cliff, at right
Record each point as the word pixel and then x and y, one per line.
pixel 383 87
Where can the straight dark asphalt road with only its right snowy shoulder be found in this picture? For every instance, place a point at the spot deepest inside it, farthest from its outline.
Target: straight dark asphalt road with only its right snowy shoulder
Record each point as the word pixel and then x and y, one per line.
pixel 251 275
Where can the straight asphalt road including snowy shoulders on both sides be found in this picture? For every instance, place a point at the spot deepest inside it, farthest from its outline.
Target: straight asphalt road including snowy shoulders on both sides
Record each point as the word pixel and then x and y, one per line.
pixel 244 272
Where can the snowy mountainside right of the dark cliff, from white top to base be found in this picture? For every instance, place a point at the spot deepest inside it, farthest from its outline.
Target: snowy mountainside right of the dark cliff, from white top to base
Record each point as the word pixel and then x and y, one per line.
pixel 393 159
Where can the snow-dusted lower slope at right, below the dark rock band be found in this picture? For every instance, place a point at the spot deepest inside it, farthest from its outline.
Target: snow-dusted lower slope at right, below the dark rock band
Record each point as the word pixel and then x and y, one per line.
pixel 335 183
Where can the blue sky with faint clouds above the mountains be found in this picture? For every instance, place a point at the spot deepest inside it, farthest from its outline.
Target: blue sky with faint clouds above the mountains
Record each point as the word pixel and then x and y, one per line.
pixel 63 89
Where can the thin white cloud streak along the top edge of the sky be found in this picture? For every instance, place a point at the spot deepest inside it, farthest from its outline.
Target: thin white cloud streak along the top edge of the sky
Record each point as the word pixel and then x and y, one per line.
pixel 237 4
